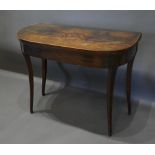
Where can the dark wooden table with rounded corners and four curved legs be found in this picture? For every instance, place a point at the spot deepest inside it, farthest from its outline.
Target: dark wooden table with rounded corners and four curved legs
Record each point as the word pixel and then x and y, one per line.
pixel 90 47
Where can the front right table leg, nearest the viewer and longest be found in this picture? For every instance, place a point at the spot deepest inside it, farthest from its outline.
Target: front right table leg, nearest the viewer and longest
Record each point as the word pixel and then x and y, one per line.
pixel 110 88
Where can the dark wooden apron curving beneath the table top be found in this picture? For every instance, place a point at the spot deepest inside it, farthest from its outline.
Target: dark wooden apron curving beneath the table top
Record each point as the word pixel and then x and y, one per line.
pixel 79 57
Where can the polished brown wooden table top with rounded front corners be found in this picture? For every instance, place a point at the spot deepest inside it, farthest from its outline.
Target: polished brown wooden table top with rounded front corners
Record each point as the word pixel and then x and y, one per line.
pixel 90 39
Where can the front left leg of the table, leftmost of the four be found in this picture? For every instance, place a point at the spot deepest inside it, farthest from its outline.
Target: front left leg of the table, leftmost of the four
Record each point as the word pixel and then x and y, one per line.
pixel 31 81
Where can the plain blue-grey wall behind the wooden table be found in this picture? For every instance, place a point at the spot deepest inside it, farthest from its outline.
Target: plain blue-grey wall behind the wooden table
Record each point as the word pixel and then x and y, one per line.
pixel 88 78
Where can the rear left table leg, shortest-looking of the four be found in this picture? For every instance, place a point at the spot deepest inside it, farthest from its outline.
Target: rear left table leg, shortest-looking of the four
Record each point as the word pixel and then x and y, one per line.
pixel 44 73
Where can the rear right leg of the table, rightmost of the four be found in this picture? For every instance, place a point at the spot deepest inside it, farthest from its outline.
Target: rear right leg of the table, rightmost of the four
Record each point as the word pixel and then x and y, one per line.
pixel 128 84
